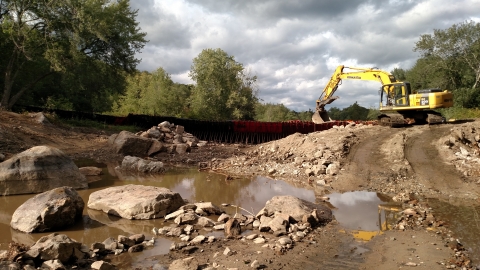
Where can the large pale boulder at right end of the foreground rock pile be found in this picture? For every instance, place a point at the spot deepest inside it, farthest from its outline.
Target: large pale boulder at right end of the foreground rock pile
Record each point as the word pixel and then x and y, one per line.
pixel 297 208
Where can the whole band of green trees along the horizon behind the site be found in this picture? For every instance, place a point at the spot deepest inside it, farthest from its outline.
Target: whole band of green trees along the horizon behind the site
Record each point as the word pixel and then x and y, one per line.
pixel 80 55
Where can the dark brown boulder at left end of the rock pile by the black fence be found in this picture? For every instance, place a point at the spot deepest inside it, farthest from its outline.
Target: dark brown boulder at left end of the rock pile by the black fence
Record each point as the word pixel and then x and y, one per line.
pixel 127 143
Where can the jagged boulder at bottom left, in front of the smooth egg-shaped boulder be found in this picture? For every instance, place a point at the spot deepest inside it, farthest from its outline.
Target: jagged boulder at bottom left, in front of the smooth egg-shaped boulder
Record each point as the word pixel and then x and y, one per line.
pixel 56 247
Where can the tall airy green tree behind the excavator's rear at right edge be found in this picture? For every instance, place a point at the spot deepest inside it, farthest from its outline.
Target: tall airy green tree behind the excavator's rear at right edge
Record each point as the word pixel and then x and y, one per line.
pixel 454 51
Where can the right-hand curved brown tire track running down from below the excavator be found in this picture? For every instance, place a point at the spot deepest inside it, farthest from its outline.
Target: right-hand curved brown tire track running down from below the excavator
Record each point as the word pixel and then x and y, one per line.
pixel 428 167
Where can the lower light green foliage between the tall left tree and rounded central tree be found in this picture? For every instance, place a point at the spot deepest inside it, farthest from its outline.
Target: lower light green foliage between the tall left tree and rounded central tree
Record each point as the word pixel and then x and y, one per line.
pixel 154 94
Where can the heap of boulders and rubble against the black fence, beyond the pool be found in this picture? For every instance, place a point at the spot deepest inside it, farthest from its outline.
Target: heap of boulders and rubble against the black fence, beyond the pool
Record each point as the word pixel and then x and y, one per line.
pixel 165 137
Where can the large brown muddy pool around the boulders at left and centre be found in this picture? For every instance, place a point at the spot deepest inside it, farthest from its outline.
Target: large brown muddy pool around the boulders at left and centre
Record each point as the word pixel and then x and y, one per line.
pixel 96 226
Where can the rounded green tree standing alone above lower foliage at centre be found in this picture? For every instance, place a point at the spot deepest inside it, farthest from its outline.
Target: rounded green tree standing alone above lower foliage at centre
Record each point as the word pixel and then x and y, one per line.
pixel 224 90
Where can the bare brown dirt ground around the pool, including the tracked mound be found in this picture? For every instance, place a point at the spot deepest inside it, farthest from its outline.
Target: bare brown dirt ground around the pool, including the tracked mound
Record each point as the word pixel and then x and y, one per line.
pixel 406 164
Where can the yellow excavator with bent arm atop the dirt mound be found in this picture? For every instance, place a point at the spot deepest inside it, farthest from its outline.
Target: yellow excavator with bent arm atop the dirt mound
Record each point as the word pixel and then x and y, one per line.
pixel 399 105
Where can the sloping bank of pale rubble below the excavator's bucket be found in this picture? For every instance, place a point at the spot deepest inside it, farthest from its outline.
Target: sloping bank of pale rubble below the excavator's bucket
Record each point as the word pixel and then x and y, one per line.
pixel 315 156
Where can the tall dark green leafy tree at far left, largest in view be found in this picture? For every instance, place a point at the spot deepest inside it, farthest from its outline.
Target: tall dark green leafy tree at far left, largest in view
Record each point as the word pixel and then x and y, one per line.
pixel 65 37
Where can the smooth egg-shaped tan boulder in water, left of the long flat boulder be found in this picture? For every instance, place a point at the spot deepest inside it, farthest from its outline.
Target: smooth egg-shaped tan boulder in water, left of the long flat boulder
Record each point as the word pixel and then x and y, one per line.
pixel 51 210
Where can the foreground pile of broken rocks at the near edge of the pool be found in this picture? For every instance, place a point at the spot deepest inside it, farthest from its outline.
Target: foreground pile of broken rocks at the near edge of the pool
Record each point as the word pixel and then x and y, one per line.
pixel 286 217
